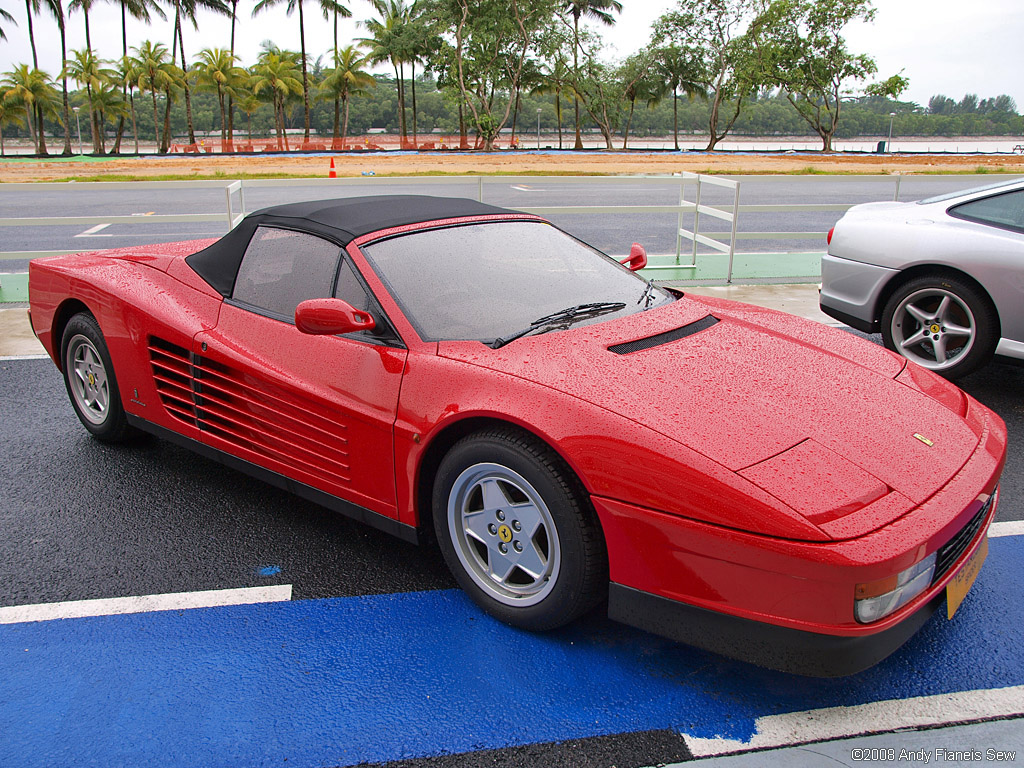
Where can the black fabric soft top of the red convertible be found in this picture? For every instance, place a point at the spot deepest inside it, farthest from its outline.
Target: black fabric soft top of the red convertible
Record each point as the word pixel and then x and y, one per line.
pixel 342 221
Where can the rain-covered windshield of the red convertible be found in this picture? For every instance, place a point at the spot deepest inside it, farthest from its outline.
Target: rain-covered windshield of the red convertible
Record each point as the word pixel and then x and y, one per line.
pixel 490 280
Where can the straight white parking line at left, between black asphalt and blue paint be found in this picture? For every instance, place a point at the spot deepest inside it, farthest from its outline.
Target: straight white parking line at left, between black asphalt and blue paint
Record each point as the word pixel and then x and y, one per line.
pixel 145 604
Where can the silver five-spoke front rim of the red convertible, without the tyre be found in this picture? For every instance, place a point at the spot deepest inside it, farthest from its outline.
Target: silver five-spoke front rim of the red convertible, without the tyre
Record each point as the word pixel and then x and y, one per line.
pixel 504 535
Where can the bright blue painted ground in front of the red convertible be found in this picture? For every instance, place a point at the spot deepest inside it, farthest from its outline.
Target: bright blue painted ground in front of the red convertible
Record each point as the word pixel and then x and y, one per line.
pixel 381 678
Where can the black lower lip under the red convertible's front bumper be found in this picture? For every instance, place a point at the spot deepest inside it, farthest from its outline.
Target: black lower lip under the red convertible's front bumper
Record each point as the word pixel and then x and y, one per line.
pixel 764 645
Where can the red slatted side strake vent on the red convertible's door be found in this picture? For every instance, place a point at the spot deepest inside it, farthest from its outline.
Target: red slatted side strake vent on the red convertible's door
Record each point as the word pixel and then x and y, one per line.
pixel 249 412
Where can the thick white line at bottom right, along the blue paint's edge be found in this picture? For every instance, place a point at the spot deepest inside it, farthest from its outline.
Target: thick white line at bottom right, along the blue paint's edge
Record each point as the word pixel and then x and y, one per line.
pixel 877 717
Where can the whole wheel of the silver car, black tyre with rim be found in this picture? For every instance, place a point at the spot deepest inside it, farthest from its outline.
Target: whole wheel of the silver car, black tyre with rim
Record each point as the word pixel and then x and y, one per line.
pixel 942 323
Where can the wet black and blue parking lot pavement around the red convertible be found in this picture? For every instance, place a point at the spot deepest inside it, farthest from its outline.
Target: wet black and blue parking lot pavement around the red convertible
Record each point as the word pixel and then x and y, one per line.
pixel 376 660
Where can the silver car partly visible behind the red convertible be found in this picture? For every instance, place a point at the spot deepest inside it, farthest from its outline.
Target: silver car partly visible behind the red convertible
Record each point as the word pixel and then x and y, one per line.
pixel 943 279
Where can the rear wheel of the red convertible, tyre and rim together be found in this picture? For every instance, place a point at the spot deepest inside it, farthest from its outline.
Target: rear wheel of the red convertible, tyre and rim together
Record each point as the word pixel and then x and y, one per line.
pixel 90 378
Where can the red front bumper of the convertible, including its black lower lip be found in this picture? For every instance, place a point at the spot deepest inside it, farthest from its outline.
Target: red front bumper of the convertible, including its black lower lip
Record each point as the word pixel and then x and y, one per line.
pixel 788 605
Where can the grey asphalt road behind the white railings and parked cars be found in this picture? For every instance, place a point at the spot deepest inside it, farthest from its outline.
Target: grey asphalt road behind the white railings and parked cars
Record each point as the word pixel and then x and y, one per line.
pixel 610 234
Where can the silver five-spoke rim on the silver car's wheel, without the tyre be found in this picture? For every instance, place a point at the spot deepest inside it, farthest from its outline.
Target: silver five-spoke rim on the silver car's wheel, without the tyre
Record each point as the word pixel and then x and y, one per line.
pixel 934 328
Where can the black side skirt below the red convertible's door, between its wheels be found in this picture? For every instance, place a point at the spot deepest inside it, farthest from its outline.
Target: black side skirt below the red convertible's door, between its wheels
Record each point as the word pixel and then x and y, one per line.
pixel 388 525
